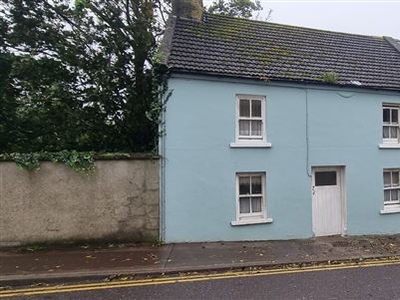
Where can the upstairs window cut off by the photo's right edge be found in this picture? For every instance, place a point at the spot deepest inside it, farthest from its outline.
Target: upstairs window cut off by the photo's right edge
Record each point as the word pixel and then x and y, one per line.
pixel 391 129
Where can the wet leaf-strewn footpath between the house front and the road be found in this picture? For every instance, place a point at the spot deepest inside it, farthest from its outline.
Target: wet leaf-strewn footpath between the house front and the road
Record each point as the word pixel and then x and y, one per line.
pixel 60 264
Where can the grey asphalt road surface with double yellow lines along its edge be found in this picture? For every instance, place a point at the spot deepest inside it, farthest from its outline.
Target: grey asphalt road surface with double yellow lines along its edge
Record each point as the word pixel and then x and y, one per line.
pixel 373 282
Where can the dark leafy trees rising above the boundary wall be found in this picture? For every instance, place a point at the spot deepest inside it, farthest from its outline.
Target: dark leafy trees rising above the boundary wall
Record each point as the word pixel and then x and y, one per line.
pixel 79 76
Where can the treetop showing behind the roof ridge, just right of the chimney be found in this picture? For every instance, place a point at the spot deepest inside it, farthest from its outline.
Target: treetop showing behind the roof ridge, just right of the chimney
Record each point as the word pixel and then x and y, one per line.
pixel 235 8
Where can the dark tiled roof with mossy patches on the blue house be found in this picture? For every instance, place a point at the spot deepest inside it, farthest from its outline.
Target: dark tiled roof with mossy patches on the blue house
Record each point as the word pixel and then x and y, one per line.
pixel 234 47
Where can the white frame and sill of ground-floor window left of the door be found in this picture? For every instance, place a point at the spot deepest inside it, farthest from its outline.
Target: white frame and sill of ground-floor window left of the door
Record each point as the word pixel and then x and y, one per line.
pixel 252 217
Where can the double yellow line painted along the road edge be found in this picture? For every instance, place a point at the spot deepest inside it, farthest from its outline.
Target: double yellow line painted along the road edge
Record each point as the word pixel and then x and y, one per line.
pixel 191 278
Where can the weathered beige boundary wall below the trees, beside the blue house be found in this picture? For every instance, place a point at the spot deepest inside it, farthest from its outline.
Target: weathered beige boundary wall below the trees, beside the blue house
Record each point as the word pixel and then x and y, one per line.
pixel 119 201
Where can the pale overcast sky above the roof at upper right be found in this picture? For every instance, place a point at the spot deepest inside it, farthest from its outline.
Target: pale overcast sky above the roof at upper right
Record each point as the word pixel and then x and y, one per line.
pixel 379 17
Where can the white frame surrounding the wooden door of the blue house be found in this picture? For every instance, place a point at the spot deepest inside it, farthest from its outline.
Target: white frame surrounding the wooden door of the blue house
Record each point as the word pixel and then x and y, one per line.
pixel 341 173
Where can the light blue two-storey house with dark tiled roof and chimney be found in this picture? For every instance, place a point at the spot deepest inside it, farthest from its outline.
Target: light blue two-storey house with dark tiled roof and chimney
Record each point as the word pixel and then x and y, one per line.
pixel 278 132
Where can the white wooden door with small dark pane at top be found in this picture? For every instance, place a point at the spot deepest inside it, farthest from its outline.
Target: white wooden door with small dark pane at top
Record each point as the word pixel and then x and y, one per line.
pixel 327 201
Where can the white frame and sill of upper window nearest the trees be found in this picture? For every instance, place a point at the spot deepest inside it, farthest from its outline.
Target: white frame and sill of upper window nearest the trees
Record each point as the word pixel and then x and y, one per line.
pixel 251 140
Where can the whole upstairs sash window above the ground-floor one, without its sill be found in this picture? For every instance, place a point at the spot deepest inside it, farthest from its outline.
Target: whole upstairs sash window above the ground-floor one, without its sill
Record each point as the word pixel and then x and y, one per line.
pixel 250 127
